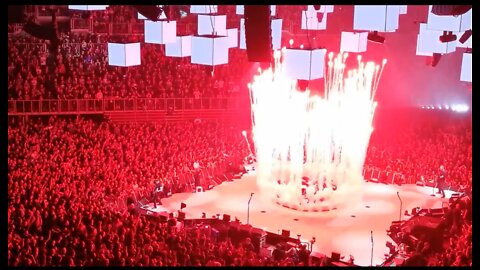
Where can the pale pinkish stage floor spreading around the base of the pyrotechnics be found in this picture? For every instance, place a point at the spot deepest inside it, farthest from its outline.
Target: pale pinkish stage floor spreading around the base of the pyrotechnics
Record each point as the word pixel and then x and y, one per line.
pixel 346 231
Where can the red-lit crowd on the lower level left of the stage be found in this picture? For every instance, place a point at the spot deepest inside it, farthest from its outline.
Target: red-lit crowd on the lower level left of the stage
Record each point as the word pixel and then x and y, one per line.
pixel 62 175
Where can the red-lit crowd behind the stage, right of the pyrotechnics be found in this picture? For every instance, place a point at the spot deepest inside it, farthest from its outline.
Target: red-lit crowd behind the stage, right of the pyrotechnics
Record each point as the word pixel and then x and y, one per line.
pixel 416 150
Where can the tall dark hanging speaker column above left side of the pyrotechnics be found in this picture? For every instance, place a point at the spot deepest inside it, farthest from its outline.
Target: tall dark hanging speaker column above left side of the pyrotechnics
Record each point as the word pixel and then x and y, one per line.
pixel 258 33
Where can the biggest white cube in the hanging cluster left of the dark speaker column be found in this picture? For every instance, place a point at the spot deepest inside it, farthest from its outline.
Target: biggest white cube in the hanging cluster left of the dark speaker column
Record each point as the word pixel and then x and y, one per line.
pixel 208 50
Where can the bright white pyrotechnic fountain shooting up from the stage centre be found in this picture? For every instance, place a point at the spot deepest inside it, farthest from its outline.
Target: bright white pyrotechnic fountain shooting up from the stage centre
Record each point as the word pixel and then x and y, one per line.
pixel 310 150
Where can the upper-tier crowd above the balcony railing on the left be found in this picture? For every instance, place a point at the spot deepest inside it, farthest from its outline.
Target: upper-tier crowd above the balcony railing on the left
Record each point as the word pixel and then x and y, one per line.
pixel 81 70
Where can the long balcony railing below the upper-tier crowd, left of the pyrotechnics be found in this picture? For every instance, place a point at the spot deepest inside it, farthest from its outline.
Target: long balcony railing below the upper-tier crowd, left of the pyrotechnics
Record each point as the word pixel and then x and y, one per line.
pixel 98 106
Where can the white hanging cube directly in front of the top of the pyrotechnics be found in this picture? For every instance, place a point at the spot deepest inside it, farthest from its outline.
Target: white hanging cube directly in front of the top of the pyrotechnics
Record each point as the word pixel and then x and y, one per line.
pixel 304 64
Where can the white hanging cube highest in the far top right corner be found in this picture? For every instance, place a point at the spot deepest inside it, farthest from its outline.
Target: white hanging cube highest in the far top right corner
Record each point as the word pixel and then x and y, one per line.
pixel 449 23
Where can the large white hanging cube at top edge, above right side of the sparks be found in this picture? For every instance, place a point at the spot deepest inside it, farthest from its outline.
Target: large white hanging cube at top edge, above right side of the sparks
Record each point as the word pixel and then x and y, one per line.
pixel 379 18
